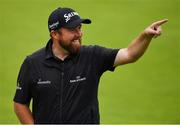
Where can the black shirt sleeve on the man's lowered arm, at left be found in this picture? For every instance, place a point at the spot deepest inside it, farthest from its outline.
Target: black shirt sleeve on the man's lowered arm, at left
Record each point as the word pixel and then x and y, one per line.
pixel 23 93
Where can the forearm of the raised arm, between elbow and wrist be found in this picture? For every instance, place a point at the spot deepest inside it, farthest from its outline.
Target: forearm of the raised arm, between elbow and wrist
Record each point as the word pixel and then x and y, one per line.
pixel 139 45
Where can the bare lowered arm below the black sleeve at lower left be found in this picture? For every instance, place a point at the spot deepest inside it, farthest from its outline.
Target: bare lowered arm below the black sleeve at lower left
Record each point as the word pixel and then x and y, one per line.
pixel 23 113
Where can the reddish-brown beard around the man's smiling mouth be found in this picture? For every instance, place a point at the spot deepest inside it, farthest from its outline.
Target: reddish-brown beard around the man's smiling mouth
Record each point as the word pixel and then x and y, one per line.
pixel 73 47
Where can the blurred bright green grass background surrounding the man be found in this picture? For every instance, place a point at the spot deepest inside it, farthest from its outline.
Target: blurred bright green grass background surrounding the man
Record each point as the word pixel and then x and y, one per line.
pixel 147 91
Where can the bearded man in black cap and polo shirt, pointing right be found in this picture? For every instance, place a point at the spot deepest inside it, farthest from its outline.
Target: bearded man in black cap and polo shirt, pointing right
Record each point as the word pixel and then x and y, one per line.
pixel 62 78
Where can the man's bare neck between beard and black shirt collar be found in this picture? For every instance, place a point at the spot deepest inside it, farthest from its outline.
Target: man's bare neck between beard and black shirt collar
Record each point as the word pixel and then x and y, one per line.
pixel 58 51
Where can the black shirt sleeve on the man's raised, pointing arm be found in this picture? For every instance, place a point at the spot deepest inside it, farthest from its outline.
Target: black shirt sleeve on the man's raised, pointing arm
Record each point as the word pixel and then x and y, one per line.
pixel 104 58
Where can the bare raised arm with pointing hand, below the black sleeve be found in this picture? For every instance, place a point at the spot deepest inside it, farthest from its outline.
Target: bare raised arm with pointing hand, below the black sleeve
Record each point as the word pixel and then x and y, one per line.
pixel 139 45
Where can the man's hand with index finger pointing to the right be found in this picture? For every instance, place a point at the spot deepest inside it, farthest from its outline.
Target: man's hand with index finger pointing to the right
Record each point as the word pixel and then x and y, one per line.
pixel 154 30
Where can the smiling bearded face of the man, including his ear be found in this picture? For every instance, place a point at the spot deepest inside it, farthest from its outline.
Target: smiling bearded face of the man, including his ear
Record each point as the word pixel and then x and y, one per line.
pixel 69 39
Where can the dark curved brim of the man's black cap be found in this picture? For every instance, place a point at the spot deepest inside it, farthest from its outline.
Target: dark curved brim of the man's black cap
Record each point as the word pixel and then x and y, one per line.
pixel 76 23
